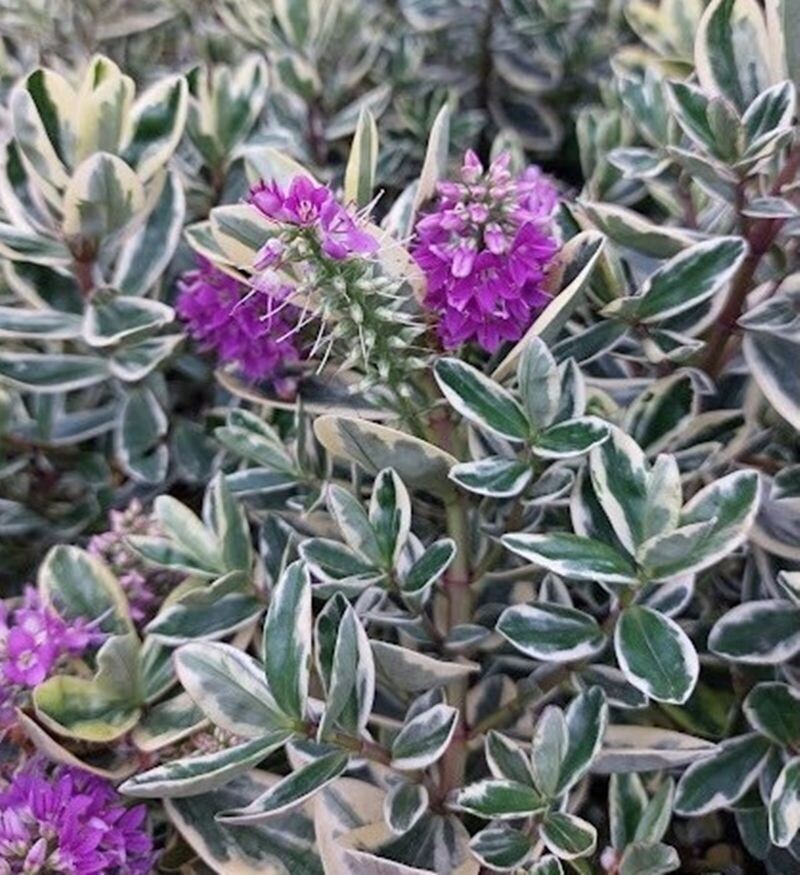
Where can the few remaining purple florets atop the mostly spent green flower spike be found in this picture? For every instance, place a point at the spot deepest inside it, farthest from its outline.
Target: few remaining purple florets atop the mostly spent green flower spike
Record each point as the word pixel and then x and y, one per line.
pixel 306 205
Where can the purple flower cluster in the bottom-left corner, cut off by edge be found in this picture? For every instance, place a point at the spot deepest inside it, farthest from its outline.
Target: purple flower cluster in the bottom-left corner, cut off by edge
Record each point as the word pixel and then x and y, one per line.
pixel 65 820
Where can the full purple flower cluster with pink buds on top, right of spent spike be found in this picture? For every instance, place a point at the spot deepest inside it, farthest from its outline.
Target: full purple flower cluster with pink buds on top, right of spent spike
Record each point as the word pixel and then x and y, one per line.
pixel 484 251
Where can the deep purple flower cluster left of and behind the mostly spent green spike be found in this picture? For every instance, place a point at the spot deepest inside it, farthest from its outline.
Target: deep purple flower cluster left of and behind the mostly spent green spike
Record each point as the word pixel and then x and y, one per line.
pixel 248 327
